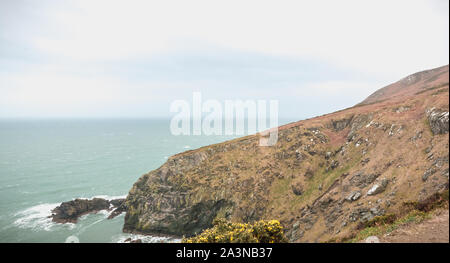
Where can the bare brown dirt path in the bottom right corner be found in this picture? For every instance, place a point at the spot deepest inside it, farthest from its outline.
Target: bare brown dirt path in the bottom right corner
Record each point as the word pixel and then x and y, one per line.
pixel 434 230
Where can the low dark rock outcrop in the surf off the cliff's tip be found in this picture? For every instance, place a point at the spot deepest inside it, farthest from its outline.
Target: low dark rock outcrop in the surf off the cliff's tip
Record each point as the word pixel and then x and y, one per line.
pixel 69 212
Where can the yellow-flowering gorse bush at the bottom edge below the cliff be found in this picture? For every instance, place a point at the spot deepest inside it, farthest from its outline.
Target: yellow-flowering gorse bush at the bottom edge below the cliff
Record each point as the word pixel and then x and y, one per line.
pixel 228 232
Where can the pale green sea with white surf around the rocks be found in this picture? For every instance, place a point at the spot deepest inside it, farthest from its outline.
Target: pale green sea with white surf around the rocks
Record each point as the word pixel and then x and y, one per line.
pixel 46 162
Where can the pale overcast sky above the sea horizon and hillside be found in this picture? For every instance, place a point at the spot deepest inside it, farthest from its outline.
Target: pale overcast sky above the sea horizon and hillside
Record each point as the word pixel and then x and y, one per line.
pixel 131 59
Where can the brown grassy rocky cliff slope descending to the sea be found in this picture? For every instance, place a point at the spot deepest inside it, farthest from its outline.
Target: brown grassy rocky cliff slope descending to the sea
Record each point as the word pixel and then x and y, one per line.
pixel 322 177
